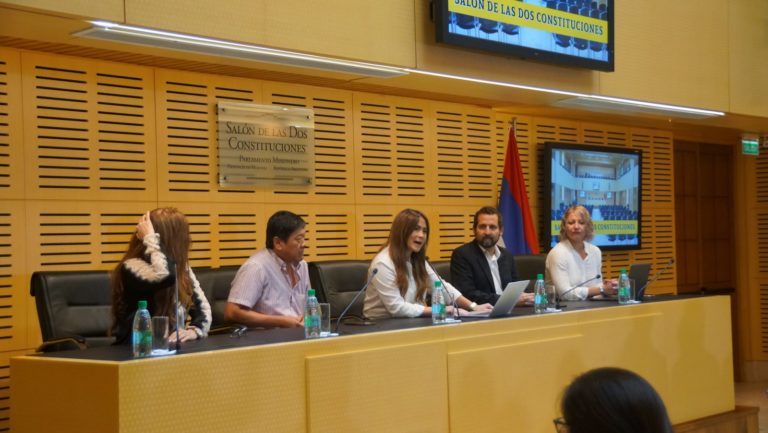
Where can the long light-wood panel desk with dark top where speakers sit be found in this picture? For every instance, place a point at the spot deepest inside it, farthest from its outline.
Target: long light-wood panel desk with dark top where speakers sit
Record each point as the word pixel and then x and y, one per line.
pixel 497 375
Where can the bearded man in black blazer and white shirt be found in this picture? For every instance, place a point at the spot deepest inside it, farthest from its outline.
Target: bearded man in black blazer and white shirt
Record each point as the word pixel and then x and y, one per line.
pixel 481 269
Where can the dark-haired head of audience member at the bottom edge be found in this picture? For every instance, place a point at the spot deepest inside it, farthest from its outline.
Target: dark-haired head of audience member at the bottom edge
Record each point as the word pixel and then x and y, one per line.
pixel 612 400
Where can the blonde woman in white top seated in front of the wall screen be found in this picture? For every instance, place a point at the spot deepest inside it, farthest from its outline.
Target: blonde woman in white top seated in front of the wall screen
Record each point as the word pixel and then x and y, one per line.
pixel 574 264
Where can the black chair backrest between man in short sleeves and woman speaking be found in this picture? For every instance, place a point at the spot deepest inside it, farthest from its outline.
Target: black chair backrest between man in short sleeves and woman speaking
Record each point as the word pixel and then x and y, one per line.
pixel 337 282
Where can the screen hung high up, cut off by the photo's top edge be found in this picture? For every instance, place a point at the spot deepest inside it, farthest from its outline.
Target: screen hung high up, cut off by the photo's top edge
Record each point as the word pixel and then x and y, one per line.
pixel 578 33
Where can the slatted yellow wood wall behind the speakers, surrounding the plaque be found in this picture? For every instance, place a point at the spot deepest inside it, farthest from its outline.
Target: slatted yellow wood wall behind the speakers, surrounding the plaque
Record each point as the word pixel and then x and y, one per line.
pixel 87 146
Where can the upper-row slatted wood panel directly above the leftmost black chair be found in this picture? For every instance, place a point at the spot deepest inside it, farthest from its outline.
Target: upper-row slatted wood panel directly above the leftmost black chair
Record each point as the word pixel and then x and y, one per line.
pixel 87 130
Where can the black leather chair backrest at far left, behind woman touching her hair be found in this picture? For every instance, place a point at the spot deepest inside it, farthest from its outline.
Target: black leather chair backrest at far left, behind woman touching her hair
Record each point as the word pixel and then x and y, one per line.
pixel 74 304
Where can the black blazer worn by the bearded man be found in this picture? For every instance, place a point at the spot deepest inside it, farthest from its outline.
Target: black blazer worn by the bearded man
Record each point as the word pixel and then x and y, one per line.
pixel 471 275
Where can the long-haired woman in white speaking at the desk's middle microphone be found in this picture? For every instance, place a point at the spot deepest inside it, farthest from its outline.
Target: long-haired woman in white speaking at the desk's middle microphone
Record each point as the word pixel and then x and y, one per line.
pixel 404 278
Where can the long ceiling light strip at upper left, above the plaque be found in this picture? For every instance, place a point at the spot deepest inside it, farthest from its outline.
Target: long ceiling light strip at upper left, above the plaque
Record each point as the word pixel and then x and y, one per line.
pixel 195 44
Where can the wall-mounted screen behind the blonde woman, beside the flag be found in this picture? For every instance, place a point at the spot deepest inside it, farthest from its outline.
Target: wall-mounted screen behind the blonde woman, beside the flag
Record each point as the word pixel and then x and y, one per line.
pixel 605 180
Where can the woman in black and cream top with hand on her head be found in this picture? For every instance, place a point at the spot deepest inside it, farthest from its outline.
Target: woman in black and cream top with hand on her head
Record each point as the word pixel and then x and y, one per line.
pixel 148 271
